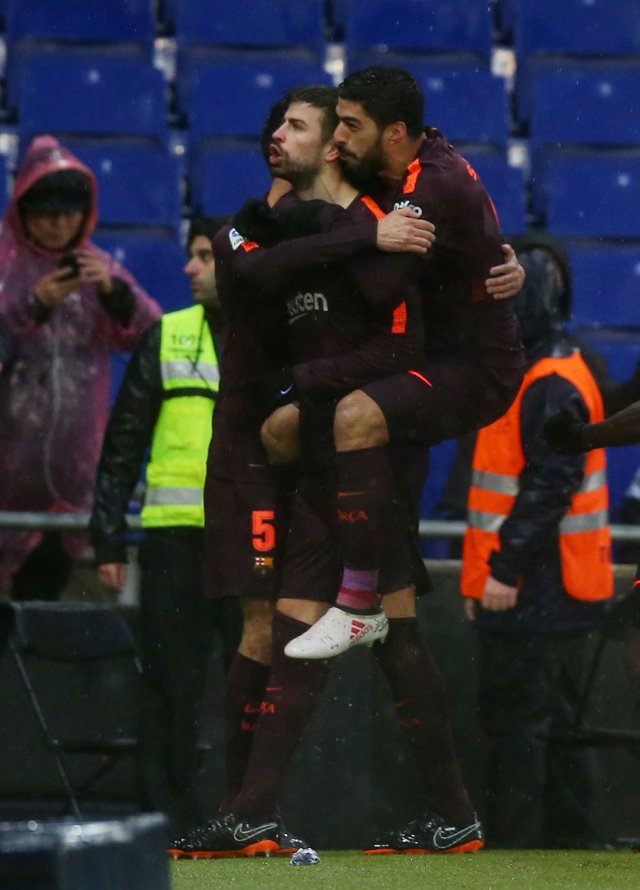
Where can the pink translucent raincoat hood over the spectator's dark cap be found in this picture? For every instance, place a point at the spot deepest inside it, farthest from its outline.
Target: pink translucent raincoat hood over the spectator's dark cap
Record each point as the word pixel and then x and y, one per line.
pixel 46 155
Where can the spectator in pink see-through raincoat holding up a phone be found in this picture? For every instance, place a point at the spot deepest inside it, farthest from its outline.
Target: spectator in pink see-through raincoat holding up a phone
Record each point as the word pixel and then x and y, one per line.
pixel 64 318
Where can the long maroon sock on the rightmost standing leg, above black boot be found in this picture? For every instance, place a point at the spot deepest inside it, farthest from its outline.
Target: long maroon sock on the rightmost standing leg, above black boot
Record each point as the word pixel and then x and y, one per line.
pixel 420 699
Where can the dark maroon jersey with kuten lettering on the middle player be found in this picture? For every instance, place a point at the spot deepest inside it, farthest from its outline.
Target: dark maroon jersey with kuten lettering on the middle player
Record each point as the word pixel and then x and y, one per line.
pixel 363 314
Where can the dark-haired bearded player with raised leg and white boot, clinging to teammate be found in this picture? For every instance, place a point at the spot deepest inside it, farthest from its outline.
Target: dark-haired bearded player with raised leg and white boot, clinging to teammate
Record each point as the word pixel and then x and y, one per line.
pixel 473 362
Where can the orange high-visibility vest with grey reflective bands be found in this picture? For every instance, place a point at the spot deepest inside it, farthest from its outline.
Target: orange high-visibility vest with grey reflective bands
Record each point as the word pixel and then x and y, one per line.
pixel 498 461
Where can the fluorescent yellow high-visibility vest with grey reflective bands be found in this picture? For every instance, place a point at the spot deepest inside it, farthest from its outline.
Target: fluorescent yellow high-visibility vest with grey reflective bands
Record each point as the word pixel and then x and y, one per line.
pixel 177 467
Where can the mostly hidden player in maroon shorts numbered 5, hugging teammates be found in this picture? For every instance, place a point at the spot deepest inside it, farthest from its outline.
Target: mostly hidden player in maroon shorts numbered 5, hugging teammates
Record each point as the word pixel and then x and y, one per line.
pixel 246 499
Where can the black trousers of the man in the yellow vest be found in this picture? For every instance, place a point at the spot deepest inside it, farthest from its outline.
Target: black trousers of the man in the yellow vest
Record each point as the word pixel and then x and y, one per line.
pixel 177 629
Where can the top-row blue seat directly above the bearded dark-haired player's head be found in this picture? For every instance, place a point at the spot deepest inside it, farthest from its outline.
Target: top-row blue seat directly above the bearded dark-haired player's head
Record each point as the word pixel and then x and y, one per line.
pixel 419 26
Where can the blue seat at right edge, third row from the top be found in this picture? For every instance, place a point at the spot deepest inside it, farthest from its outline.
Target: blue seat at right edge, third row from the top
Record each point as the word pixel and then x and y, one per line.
pixel 585 193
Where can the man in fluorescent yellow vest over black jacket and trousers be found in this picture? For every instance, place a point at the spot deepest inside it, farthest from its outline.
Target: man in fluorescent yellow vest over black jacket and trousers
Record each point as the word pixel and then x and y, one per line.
pixel 166 402
